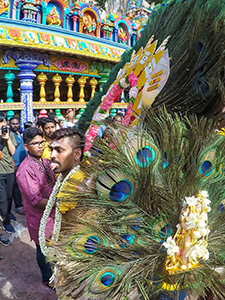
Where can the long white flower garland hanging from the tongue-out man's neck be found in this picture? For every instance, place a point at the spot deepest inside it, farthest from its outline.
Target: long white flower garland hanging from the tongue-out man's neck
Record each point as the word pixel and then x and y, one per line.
pixel 58 216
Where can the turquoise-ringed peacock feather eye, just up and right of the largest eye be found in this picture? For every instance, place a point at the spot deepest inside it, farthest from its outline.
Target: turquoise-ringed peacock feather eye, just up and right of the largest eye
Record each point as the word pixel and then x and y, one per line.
pixel 145 156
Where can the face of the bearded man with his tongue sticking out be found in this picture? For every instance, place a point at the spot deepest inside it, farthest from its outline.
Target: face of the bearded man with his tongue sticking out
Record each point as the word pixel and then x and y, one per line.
pixel 63 156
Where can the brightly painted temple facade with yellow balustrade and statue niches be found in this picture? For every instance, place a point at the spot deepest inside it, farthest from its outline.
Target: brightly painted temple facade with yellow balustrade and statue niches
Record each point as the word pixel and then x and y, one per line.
pixel 55 55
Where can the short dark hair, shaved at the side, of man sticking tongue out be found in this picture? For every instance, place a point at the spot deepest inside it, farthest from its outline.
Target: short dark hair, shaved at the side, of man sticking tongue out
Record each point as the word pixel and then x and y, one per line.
pixel 72 134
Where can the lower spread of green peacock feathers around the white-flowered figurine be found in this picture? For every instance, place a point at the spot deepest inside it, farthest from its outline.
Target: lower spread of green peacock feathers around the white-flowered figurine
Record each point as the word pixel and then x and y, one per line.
pixel 136 204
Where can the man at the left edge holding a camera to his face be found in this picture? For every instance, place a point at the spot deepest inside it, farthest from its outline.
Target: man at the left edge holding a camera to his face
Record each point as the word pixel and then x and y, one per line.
pixel 7 149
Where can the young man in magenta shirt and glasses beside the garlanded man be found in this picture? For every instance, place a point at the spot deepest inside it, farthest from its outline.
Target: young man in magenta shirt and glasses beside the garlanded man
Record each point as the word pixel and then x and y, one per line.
pixel 36 180
